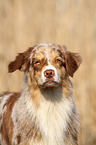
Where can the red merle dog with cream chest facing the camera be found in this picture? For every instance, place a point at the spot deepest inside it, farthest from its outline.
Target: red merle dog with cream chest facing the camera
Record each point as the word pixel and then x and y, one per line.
pixel 44 113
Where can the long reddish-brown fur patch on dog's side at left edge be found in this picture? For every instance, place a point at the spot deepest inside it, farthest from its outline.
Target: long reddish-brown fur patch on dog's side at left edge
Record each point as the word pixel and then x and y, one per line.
pixel 7 124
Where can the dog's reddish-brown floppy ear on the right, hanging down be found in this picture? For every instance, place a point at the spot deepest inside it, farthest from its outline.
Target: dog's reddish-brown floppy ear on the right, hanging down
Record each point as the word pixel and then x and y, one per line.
pixel 73 61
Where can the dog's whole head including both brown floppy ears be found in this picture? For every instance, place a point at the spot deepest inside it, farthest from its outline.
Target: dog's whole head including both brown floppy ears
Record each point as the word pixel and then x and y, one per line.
pixel 48 64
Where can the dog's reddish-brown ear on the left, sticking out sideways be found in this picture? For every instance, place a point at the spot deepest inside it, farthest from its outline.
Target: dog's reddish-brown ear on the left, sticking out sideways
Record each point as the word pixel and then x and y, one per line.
pixel 21 61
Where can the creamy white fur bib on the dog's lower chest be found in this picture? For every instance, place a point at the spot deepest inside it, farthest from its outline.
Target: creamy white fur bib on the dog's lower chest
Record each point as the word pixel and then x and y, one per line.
pixel 53 118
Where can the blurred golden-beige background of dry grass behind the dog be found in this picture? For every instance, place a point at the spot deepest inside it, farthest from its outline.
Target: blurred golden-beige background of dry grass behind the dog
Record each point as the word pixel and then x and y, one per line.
pixel 24 23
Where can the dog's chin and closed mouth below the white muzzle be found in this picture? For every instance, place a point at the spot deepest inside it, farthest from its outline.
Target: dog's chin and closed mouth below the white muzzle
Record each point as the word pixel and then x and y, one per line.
pixel 50 84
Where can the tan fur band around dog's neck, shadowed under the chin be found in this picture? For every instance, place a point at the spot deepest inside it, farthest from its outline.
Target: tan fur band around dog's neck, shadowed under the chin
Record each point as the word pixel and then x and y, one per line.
pixel 49 92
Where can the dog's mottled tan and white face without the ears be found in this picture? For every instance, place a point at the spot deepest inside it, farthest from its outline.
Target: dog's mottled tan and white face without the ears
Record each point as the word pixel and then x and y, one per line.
pixel 48 66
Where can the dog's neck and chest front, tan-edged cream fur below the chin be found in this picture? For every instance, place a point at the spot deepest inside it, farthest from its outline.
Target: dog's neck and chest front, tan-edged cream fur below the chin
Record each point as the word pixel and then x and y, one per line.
pixel 52 109
